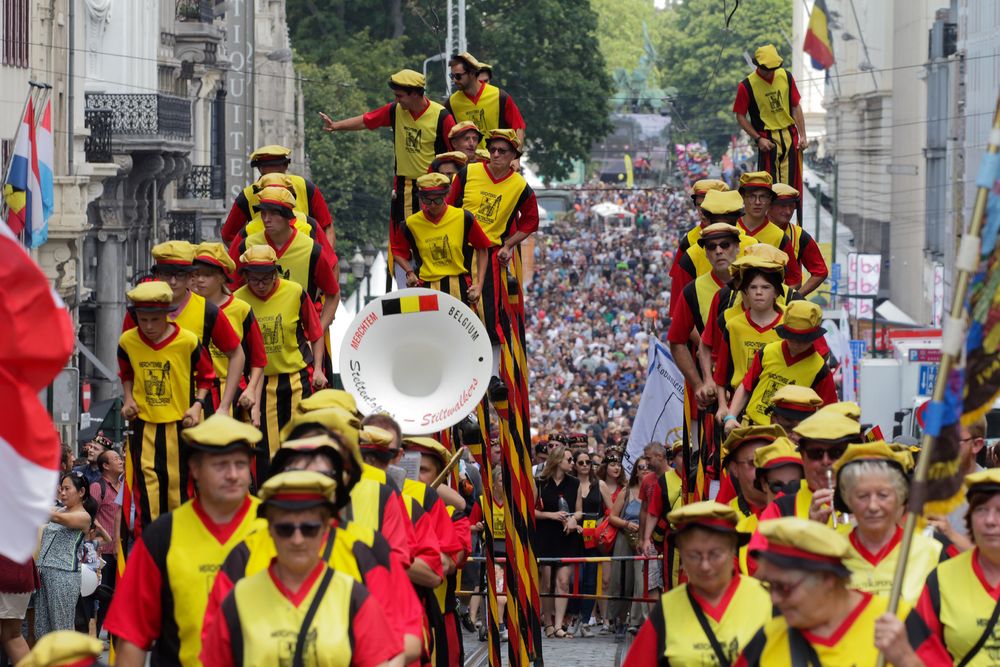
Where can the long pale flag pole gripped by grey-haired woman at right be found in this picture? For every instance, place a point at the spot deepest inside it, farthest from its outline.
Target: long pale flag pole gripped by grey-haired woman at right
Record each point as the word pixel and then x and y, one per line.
pixel 951 350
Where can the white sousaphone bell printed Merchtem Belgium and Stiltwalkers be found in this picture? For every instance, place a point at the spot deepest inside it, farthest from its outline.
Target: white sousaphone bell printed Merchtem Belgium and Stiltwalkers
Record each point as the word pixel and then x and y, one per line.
pixel 418 355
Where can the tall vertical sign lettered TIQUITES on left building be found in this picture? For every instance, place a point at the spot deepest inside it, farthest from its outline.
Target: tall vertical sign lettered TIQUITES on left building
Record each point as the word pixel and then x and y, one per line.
pixel 240 94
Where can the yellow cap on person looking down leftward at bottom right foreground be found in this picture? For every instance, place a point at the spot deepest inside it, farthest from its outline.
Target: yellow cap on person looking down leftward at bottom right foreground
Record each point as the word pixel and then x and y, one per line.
pixel 802 544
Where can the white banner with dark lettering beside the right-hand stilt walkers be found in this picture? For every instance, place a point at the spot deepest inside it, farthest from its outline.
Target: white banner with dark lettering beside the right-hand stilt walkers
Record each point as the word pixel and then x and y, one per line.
pixel 661 407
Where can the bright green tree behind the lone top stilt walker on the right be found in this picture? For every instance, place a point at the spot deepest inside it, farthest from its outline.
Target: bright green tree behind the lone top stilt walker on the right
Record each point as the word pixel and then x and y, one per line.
pixel 703 61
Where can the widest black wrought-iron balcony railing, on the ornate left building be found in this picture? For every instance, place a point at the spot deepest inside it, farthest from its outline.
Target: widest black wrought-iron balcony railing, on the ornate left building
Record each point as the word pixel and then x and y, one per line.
pixel 146 114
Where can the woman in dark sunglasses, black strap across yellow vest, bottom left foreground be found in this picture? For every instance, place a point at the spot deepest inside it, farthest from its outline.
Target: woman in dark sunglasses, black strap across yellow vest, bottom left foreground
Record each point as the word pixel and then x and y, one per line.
pixel 324 617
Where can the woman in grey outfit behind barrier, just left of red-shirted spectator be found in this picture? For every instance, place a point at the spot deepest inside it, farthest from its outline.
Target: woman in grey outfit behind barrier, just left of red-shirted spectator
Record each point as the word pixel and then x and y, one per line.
pixel 626 577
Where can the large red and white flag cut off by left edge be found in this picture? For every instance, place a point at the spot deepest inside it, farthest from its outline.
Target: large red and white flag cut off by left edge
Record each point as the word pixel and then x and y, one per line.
pixel 37 342
